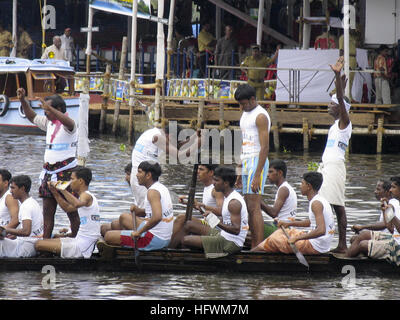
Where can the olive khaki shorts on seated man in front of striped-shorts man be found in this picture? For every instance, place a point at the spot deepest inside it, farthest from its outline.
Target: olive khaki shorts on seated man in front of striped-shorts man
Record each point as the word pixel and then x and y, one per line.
pixel 216 246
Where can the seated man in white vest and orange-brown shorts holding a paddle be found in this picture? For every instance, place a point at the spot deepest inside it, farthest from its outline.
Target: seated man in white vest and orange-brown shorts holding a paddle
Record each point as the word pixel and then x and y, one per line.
pixel 322 225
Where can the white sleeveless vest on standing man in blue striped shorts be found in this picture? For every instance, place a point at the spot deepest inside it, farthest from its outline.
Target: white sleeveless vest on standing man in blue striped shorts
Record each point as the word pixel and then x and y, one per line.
pixel 251 141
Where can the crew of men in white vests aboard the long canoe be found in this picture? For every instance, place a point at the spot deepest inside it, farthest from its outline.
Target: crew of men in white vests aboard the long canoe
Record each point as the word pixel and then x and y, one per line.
pixel 232 219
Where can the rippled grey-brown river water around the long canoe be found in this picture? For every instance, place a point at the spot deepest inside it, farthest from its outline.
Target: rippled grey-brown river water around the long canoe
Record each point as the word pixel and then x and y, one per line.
pixel 24 155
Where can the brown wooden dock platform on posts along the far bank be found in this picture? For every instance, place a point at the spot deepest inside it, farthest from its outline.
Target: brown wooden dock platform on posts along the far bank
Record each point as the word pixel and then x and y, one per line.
pixel 303 118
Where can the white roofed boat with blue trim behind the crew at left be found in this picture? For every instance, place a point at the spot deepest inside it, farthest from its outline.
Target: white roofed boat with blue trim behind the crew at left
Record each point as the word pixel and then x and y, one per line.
pixel 39 78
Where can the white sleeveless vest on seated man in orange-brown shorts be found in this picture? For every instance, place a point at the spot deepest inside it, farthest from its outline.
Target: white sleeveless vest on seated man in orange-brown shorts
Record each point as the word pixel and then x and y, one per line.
pixel 322 244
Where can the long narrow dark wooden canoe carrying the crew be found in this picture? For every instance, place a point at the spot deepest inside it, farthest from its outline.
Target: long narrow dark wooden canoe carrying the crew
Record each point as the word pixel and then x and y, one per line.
pixel 117 259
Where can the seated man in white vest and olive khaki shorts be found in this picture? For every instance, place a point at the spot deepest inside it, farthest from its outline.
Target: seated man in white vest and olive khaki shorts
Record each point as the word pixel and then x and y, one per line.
pixel 233 229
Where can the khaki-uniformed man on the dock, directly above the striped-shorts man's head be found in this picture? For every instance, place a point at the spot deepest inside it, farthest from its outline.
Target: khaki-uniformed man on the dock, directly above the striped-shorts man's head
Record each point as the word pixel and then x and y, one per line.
pixel 255 78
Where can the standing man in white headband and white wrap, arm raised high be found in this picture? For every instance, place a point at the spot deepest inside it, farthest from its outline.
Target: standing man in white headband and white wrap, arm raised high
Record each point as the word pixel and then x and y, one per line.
pixel 333 166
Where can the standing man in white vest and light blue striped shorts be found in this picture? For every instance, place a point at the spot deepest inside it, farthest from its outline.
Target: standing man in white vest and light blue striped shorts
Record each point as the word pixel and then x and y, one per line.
pixel 255 125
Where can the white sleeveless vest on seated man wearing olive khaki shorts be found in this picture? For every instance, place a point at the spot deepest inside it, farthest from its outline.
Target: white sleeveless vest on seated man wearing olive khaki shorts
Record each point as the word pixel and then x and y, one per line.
pixel 226 219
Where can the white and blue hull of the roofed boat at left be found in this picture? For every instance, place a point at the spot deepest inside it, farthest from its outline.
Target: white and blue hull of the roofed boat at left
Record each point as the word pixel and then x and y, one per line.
pixel 15 122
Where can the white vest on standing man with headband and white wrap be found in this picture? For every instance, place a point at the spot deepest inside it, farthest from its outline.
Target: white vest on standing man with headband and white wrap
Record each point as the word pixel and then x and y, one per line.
pixel 337 143
